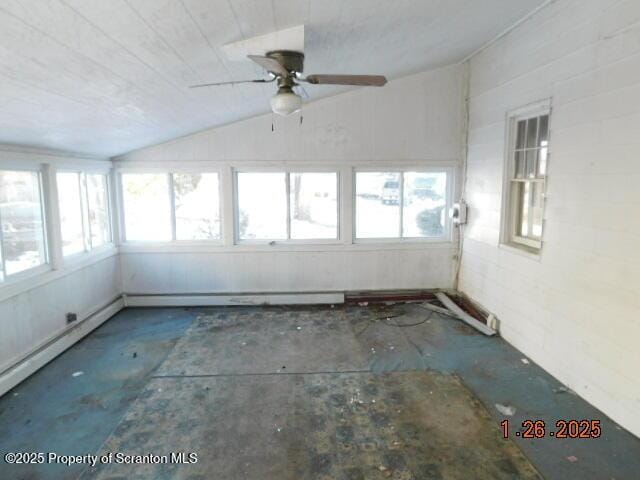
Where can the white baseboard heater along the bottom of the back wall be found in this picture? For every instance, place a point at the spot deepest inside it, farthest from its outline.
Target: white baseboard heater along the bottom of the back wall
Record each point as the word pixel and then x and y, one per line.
pixel 197 300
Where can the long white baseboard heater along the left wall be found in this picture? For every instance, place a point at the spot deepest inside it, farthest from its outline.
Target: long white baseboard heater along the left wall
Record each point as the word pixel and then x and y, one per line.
pixel 18 372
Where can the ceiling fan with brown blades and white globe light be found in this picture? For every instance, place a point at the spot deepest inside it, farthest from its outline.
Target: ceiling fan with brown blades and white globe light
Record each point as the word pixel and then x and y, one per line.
pixel 286 68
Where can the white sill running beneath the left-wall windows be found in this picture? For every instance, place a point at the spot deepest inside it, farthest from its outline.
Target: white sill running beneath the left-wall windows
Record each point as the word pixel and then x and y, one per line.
pixel 44 274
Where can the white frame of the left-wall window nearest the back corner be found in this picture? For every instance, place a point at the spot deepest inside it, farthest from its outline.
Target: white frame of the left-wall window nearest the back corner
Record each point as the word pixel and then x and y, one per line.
pixel 84 207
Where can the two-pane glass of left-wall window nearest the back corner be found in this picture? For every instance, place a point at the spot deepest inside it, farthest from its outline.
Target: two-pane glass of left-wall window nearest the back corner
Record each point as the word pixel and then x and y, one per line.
pixel 84 212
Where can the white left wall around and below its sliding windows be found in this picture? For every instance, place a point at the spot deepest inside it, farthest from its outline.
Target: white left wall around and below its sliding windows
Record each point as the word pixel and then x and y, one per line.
pixel 33 309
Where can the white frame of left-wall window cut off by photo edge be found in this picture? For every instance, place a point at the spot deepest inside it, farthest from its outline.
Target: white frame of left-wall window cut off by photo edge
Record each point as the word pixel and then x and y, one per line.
pixel 45 266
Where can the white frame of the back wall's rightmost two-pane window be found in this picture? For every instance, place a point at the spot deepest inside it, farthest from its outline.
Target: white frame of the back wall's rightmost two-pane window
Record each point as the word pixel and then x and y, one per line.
pixel 447 235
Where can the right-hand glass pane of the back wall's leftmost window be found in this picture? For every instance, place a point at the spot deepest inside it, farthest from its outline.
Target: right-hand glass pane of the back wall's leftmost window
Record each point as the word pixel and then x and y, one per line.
pixel 197 206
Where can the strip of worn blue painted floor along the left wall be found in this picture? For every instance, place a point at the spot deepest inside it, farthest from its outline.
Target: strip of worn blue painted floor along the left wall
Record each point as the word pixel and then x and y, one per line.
pixel 53 411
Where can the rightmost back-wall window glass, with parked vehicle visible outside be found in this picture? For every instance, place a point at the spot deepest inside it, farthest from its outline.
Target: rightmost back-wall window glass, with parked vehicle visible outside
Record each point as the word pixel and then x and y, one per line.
pixel 401 204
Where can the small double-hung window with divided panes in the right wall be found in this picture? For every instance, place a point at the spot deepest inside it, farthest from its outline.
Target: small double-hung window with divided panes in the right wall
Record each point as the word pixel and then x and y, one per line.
pixel 527 170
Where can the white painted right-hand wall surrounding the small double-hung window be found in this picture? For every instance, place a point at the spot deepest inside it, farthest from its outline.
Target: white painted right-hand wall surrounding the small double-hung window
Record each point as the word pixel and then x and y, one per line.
pixel 575 309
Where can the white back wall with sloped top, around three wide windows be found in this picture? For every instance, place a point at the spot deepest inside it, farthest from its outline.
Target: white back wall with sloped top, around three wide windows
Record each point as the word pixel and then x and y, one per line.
pixel 414 121
